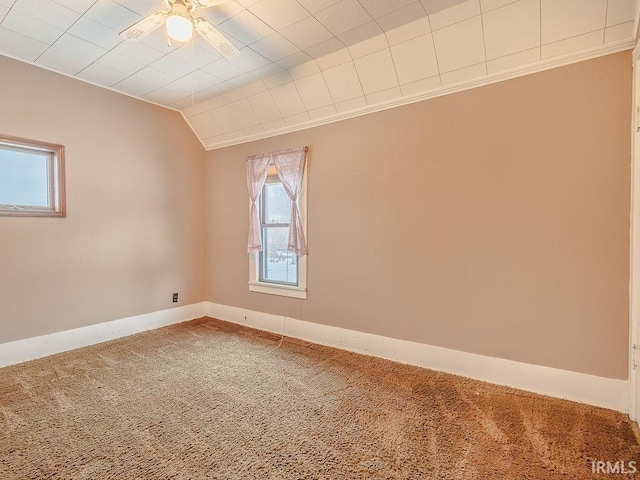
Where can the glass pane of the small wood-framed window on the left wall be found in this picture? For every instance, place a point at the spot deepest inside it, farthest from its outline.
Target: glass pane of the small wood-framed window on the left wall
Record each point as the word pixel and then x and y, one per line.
pixel 24 178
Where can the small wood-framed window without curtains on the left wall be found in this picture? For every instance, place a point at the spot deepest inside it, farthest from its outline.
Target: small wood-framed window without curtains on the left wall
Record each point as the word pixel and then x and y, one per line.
pixel 31 178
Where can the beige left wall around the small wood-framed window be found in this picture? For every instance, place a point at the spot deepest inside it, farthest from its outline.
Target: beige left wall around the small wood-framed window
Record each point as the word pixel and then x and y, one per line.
pixel 135 208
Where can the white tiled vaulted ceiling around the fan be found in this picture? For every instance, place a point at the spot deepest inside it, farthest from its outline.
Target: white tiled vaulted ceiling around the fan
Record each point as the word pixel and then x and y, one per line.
pixel 307 62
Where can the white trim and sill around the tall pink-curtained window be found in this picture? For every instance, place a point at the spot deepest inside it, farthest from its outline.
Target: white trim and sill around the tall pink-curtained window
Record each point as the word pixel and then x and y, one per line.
pixel 255 285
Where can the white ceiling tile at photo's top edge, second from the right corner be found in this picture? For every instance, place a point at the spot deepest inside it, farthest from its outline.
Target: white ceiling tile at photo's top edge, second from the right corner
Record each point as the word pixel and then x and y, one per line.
pixel 568 18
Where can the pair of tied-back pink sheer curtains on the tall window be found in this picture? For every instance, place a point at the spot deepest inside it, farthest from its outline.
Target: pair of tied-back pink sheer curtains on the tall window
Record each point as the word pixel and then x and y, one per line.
pixel 290 167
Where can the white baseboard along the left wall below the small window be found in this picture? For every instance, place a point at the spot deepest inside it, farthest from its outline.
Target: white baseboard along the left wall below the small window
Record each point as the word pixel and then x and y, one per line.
pixel 42 346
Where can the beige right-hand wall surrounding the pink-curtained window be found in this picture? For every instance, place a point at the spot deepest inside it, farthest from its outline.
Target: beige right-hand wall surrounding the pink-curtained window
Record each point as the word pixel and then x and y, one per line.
pixel 493 221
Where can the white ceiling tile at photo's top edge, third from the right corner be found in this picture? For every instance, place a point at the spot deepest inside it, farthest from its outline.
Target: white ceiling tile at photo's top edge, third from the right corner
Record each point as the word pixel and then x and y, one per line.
pixel 512 29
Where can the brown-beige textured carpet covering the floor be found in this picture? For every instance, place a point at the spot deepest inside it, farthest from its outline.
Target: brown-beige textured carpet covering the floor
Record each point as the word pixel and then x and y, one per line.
pixel 207 399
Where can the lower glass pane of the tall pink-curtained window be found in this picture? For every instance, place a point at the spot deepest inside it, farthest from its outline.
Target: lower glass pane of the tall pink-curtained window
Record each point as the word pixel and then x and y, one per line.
pixel 278 264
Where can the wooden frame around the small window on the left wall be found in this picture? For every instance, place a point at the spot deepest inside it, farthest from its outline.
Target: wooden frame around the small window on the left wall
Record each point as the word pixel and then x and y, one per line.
pixel 55 178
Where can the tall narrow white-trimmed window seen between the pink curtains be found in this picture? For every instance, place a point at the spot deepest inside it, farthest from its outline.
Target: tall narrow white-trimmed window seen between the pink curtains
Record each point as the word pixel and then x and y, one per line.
pixel 275 270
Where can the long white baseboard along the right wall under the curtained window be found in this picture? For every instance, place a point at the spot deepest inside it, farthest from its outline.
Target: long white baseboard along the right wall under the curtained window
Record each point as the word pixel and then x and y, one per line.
pixel 579 387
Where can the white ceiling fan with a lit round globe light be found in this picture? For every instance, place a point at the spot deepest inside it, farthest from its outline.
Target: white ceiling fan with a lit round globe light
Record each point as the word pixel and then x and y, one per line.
pixel 181 20
